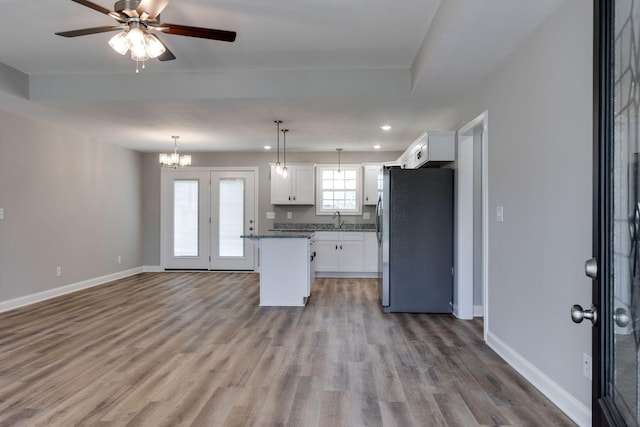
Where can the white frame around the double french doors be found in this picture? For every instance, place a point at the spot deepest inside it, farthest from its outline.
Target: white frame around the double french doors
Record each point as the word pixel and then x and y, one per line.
pixel 163 217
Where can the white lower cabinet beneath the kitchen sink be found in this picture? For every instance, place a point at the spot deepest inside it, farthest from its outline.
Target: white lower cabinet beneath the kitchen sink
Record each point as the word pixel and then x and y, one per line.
pixel 345 252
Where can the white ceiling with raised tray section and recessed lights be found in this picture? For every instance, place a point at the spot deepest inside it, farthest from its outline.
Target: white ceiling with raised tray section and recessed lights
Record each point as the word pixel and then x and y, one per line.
pixel 333 70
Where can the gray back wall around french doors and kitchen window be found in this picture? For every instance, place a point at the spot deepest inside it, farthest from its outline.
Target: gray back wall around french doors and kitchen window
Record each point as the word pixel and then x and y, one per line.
pixel 151 189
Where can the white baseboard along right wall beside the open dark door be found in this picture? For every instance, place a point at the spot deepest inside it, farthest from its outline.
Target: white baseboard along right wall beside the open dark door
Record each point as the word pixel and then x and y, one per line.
pixel 574 409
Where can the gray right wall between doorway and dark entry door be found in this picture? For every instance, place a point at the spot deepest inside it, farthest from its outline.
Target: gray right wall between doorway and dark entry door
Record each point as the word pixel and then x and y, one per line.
pixel 539 105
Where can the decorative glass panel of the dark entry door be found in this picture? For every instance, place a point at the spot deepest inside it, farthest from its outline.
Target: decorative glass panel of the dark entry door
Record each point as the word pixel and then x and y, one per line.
pixel 623 378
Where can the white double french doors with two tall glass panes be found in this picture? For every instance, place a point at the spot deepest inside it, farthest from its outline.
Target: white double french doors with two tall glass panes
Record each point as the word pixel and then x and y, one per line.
pixel 204 213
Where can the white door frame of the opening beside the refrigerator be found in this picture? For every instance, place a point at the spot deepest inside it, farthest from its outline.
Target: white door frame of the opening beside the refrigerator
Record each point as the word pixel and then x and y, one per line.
pixel 463 287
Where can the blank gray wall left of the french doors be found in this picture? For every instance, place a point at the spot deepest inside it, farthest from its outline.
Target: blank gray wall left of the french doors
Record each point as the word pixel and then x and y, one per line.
pixel 68 202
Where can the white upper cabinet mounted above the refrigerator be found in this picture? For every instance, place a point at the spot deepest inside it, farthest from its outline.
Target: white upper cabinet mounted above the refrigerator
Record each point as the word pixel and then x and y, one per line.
pixel 430 147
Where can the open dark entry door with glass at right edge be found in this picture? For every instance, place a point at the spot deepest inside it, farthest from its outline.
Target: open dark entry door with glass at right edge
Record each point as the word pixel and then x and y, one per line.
pixel 616 294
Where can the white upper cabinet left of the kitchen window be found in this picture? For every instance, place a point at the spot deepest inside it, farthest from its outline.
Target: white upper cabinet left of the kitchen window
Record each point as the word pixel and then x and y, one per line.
pixel 296 189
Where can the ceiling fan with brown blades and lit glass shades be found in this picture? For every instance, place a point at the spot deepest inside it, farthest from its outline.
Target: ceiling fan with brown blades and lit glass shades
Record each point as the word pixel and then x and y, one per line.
pixel 136 18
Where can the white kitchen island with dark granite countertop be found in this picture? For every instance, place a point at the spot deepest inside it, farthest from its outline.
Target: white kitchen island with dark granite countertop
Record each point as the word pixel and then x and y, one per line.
pixel 286 267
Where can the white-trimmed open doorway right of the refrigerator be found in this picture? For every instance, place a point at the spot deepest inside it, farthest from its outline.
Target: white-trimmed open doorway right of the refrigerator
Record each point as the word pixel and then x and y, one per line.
pixel 470 291
